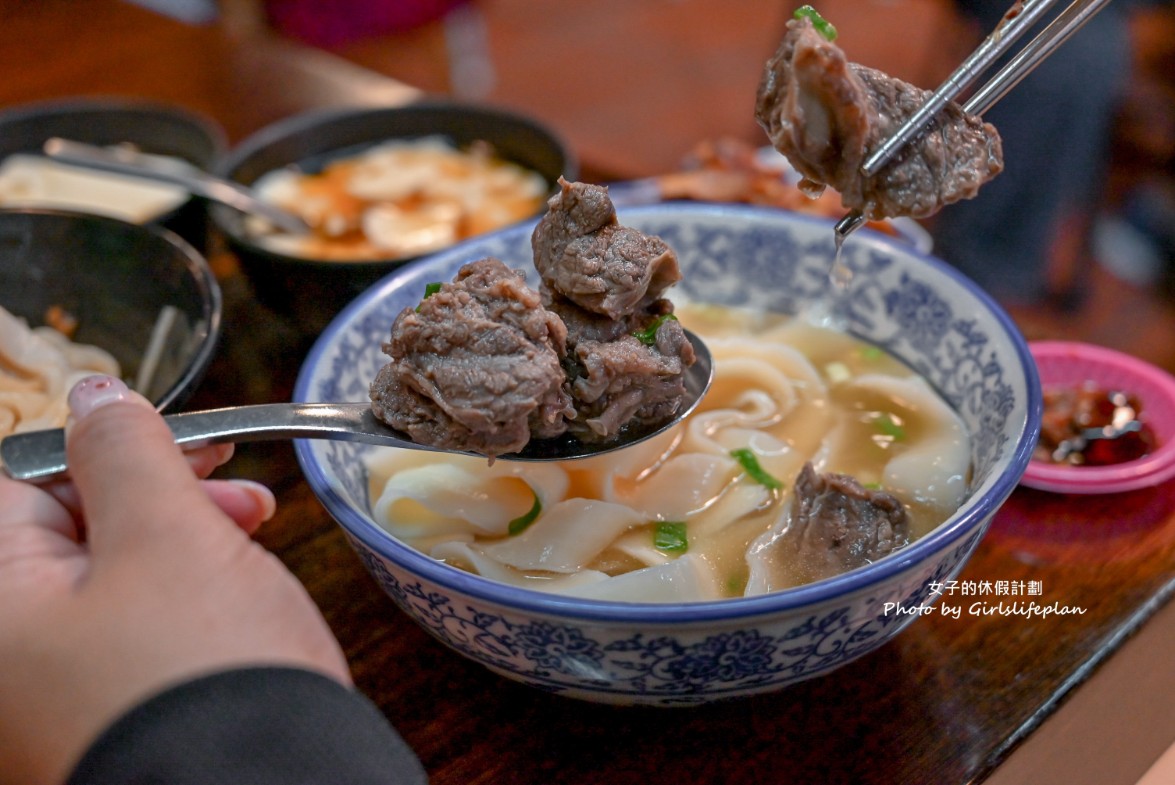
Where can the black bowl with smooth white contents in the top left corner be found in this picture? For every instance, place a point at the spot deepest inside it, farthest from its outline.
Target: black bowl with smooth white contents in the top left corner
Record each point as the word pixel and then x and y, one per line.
pixel 152 128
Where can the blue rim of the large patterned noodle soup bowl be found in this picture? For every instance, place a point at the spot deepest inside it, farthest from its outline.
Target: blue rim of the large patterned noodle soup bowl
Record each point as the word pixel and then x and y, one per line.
pixel 830 591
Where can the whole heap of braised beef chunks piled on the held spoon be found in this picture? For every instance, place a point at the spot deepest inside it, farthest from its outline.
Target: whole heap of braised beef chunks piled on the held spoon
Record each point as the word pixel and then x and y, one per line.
pixel 487 364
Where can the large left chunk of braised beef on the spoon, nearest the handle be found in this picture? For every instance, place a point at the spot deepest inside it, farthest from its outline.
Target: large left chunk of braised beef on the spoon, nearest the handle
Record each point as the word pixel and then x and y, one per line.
pixel 476 366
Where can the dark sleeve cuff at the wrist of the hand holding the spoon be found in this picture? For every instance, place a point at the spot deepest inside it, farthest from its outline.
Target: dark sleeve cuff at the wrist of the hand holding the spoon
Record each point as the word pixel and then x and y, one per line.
pixel 252 727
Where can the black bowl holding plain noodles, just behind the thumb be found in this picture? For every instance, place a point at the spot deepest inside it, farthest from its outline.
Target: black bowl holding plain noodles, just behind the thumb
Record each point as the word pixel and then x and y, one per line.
pixel 116 279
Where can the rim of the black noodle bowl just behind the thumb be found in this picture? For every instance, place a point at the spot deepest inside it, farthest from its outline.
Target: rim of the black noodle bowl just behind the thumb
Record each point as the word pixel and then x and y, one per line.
pixel 211 297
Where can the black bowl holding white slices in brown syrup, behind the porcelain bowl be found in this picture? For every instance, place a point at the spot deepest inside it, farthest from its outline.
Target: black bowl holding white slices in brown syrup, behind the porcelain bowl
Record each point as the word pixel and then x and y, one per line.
pixel 313 292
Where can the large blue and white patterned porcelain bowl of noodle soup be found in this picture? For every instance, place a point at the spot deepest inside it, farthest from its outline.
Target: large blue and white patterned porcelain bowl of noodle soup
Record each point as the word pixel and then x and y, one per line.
pixel 917 307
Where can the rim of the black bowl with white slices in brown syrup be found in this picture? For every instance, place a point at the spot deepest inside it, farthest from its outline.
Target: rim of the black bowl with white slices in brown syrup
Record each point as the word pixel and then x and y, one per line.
pixel 276 132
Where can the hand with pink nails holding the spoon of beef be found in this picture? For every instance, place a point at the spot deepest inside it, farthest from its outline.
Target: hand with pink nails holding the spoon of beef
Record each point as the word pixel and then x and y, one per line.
pixel 133 576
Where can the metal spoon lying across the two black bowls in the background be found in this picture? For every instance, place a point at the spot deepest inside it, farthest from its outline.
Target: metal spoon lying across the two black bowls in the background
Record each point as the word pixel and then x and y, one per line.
pixel 196 182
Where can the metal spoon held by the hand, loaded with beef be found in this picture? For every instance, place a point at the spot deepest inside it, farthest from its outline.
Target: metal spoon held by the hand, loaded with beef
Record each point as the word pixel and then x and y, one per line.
pixel 42 455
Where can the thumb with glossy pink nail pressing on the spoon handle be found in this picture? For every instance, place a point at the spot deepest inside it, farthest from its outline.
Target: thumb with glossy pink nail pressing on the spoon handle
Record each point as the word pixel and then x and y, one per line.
pixel 133 480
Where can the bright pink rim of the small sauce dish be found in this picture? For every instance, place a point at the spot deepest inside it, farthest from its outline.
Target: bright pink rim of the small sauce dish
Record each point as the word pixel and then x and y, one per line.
pixel 1131 475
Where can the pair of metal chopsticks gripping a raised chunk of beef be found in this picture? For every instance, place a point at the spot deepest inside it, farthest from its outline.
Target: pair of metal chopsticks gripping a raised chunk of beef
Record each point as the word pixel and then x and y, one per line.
pixel 1005 35
